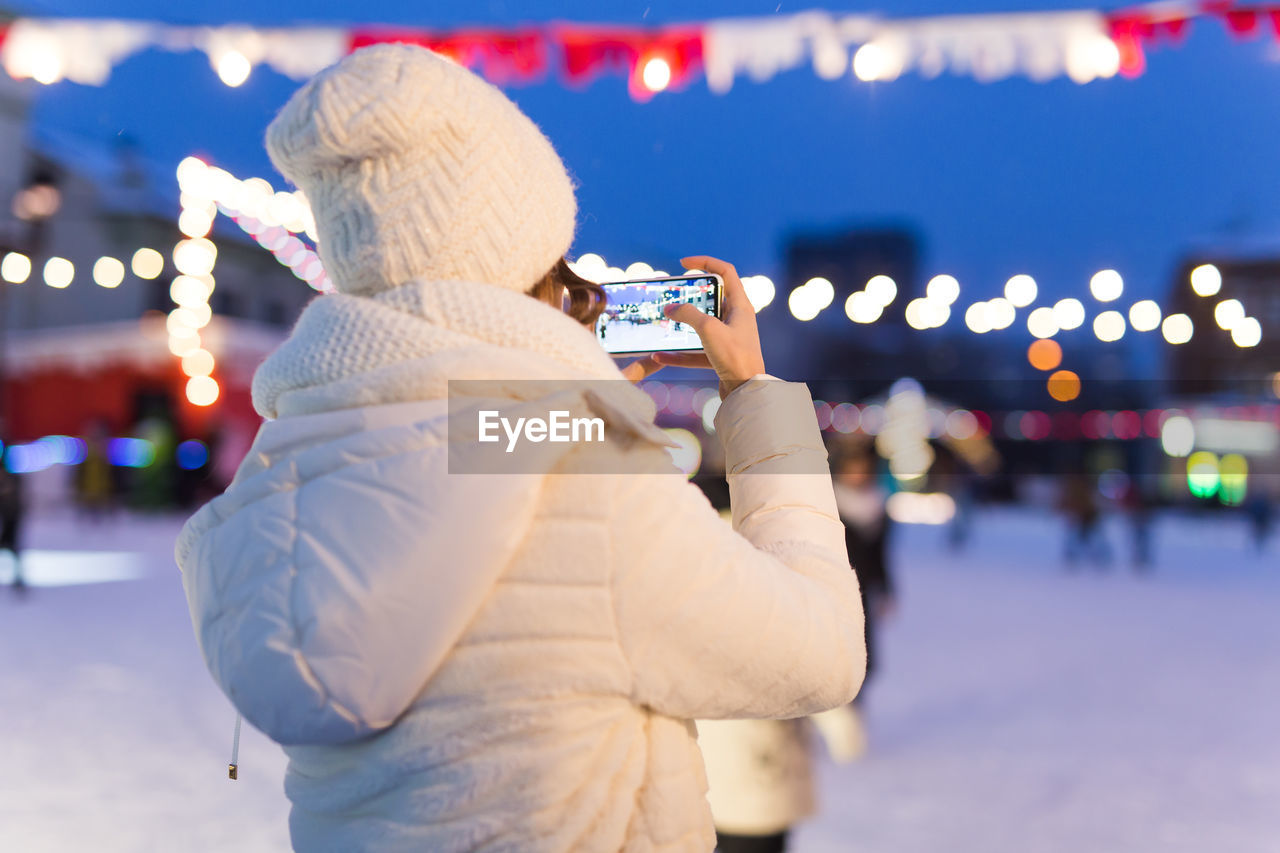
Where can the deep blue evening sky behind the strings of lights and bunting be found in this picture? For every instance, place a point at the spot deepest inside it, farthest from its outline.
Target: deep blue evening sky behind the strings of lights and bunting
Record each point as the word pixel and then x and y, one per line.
pixel 1054 180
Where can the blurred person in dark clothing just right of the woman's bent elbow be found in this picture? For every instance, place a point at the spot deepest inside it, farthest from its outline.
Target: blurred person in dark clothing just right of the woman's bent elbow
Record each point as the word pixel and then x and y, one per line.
pixel 862 504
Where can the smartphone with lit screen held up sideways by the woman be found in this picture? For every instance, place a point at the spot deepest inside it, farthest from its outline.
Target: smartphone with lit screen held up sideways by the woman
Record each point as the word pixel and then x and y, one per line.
pixel 634 322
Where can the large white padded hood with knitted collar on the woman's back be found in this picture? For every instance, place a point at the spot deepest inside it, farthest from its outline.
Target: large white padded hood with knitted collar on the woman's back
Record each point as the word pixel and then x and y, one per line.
pixel 346 559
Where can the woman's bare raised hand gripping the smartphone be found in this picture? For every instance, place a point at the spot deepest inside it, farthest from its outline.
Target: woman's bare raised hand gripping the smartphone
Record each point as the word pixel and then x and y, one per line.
pixel 732 346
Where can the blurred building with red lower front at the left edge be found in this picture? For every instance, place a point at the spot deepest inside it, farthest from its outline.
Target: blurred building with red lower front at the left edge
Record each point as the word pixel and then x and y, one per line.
pixel 86 243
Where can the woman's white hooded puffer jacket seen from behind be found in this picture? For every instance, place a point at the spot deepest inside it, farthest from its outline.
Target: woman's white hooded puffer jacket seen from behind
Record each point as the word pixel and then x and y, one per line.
pixel 508 663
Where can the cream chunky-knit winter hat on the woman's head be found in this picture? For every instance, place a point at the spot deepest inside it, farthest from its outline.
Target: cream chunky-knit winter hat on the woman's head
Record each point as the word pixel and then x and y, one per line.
pixel 418 170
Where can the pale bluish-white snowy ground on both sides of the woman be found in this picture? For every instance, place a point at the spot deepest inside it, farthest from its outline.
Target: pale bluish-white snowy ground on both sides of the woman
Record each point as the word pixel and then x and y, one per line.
pixel 1021 708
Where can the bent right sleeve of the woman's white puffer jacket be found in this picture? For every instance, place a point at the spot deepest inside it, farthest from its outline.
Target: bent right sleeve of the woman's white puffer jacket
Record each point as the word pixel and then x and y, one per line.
pixel 758 621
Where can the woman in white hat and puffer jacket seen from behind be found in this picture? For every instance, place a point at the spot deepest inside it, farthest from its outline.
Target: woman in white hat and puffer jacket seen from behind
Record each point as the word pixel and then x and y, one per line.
pixel 460 662
